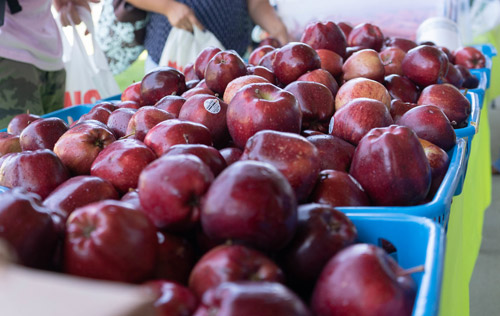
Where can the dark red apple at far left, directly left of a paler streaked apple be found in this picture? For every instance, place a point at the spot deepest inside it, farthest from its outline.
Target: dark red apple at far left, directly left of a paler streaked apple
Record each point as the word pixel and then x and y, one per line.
pixel 42 133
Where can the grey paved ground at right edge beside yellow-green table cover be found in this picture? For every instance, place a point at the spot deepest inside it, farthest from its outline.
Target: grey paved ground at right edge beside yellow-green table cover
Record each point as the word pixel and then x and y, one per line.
pixel 485 284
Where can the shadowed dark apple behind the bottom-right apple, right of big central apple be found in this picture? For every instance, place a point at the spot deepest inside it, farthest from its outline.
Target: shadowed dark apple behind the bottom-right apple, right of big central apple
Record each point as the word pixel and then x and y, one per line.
pixel 322 231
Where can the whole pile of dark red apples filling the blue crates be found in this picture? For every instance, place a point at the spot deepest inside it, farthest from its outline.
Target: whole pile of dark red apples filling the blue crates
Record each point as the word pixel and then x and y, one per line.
pixel 218 186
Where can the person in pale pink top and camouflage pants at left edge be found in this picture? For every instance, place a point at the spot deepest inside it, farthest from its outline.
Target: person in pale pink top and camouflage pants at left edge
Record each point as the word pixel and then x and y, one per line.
pixel 32 75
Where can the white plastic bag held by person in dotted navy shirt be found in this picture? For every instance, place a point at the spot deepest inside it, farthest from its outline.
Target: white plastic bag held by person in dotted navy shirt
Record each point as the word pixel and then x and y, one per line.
pixel 182 47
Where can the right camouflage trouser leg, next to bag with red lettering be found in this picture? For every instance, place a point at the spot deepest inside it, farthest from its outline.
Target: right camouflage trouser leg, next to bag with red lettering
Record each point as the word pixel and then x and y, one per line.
pixel 53 90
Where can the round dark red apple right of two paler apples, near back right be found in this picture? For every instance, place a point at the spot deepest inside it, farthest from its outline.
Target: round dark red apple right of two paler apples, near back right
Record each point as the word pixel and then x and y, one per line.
pixel 425 65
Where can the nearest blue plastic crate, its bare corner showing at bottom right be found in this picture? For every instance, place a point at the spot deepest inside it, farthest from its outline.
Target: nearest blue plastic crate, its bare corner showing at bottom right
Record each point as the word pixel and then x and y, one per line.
pixel 418 241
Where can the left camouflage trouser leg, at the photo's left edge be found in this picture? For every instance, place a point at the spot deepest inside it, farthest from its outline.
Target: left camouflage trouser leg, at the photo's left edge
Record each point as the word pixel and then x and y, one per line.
pixel 19 90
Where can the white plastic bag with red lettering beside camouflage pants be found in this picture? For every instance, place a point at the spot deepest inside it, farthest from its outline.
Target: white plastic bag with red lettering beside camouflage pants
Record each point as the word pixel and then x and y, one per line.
pixel 88 77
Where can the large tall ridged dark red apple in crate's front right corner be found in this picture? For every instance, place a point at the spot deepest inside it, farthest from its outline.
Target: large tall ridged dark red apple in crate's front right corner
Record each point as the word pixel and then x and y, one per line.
pixel 391 166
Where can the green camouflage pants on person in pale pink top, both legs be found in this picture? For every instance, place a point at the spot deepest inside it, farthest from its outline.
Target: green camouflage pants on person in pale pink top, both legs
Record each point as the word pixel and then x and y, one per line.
pixel 24 87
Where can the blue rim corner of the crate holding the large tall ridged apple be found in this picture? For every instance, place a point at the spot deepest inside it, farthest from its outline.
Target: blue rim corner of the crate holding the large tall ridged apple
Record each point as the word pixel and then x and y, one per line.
pixel 439 208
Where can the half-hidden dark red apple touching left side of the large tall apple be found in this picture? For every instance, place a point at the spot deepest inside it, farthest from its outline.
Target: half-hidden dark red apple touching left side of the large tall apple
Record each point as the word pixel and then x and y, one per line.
pixel 335 153
